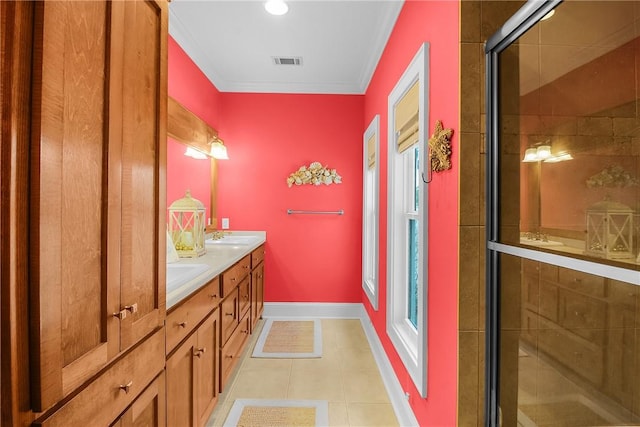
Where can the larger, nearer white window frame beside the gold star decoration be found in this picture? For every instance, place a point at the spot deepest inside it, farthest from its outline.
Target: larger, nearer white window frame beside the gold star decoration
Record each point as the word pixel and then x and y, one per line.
pixel 409 342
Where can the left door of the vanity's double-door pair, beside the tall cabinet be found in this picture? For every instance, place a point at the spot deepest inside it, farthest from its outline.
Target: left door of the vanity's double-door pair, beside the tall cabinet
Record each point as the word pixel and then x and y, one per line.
pixel 181 386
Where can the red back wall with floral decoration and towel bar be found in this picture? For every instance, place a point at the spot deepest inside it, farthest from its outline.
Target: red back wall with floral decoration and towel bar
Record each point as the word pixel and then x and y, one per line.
pixel 310 258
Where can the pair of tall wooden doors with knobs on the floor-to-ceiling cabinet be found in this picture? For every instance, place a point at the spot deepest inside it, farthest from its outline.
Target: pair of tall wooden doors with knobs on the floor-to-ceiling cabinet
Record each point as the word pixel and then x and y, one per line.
pixel 97 187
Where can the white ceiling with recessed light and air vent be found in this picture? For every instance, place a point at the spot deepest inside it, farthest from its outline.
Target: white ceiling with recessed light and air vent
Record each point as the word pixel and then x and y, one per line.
pixel 234 41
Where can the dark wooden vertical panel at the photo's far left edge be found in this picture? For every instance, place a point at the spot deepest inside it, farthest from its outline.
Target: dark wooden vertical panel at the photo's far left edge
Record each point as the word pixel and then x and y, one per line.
pixel 16 32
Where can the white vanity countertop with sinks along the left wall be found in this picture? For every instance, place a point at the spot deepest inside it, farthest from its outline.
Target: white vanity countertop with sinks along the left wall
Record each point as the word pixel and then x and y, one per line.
pixel 219 257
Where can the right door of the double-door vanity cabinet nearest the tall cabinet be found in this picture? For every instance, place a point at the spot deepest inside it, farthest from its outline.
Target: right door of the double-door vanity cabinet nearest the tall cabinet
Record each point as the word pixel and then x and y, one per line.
pixel 207 367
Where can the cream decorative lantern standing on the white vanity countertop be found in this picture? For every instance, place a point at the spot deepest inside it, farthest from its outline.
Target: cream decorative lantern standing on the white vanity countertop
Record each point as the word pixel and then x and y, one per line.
pixel 186 226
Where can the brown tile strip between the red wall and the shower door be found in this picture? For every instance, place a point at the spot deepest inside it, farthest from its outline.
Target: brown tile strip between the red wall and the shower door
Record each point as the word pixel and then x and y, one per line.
pixel 478 21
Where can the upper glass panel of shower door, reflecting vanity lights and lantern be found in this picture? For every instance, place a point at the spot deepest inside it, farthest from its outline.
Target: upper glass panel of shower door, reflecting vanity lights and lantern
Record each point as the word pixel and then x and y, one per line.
pixel 570 121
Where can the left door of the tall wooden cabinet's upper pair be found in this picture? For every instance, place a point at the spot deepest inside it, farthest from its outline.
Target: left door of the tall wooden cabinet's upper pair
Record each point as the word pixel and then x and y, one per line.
pixel 73 291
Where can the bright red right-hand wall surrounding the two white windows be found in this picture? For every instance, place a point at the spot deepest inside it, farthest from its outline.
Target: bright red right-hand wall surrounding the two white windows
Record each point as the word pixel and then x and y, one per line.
pixel 435 22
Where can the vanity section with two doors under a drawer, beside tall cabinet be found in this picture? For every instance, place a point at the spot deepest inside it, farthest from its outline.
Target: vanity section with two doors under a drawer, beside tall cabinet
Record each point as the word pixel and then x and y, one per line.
pixel 193 366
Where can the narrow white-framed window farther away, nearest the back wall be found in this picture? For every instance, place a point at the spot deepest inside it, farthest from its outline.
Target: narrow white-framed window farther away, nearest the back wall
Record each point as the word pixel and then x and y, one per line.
pixel 370 214
